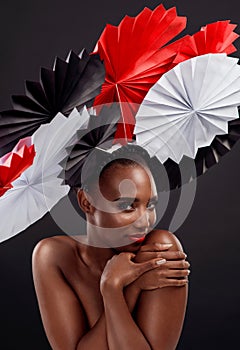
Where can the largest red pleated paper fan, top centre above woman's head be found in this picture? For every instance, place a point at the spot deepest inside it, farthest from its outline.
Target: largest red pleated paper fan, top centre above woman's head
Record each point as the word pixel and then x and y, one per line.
pixel 135 55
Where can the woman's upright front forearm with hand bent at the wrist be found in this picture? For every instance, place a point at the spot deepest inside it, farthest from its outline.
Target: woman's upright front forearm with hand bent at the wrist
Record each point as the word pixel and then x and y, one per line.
pixel 122 331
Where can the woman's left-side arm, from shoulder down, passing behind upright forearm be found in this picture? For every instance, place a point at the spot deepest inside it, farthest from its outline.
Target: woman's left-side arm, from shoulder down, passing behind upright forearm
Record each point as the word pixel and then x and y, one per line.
pixel 61 310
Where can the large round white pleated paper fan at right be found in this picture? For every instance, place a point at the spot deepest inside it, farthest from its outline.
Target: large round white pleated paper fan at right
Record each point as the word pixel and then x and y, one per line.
pixel 189 106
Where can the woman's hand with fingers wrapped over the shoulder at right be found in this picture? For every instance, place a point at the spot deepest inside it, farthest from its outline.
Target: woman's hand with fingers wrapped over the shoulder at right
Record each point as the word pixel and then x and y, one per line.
pixel 173 273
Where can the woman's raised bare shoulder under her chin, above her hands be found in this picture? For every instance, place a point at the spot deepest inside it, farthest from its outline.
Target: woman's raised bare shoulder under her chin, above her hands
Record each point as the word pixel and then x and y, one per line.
pixel 163 236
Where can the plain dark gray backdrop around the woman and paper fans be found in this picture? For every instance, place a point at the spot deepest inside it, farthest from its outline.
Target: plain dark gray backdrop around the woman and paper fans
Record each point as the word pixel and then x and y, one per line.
pixel 32 33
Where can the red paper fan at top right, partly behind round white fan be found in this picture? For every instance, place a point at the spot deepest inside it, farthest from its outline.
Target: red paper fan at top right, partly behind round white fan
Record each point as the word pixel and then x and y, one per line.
pixel 215 37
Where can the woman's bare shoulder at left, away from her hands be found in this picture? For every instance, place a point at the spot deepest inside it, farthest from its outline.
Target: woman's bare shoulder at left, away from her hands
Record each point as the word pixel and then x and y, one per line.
pixel 53 251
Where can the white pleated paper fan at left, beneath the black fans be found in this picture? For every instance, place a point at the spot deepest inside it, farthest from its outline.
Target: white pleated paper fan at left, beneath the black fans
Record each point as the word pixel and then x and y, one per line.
pixel 38 189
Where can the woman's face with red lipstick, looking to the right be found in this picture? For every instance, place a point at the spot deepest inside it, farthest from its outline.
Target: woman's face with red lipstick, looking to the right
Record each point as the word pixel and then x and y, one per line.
pixel 124 207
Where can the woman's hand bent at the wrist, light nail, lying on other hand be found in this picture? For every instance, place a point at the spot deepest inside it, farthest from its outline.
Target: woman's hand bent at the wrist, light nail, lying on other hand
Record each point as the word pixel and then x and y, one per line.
pixel 120 270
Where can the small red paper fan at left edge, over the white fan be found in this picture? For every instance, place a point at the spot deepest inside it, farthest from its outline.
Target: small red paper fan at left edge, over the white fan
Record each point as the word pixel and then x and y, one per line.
pixel 14 163
